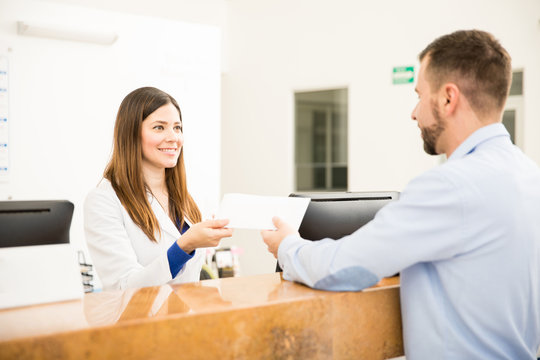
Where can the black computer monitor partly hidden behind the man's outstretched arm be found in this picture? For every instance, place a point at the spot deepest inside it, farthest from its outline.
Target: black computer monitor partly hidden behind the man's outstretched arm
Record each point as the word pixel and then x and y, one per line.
pixel 335 215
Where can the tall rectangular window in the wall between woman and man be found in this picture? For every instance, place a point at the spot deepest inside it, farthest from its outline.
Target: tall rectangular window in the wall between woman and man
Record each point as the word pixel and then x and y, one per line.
pixel 321 123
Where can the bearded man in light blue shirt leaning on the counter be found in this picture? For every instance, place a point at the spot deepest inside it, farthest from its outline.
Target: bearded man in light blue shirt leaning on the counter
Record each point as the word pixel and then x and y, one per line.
pixel 465 236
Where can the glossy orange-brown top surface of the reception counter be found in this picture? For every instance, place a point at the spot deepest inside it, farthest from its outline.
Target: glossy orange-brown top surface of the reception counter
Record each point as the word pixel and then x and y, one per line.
pixel 149 304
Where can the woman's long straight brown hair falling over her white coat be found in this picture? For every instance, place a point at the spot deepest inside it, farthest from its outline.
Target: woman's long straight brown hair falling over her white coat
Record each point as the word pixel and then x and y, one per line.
pixel 124 170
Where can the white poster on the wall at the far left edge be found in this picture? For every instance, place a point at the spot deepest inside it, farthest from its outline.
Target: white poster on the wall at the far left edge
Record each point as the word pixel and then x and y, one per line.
pixel 4 119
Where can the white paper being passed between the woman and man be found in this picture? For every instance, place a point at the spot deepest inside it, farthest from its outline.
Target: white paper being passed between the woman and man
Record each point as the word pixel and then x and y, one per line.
pixel 256 212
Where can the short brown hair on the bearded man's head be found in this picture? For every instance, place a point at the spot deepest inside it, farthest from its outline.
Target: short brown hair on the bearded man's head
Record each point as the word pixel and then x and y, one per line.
pixel 476 62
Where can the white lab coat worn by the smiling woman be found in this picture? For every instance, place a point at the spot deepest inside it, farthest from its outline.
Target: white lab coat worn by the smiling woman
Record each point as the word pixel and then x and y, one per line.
pixel 123 255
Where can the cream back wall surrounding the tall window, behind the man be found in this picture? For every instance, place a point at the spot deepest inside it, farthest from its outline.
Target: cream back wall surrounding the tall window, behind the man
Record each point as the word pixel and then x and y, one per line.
pixel 277 47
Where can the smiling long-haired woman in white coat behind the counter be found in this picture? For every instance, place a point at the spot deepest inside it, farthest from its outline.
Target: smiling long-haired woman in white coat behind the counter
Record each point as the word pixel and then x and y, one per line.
pixel 142 227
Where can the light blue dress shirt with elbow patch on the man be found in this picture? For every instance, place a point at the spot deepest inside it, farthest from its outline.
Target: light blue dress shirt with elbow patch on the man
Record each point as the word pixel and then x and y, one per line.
pixel 465 237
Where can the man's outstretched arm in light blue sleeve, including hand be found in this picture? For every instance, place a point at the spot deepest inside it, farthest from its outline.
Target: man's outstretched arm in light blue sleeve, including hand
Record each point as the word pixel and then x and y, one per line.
pixel 425 224
